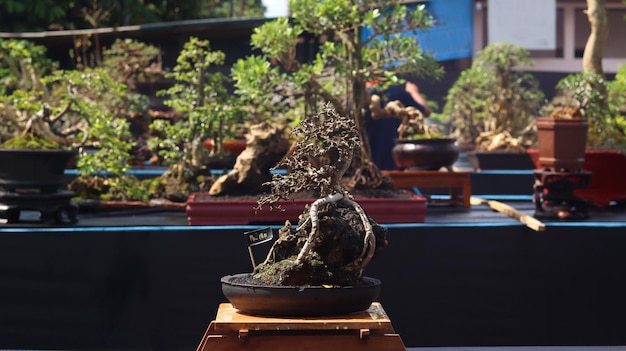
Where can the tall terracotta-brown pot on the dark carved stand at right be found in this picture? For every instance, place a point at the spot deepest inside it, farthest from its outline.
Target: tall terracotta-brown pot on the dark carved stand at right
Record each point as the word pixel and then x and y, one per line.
pixel 562 143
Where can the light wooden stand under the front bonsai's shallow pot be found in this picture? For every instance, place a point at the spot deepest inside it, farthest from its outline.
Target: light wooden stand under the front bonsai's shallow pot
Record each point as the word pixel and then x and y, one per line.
pixel 367 330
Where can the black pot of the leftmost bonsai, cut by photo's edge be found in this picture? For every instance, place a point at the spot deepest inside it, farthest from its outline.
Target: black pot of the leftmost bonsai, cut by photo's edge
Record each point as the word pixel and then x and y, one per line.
pixel 33 169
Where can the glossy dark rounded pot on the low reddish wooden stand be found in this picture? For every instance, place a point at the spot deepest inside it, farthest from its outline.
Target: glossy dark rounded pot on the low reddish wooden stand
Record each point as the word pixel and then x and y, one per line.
pixel 425 154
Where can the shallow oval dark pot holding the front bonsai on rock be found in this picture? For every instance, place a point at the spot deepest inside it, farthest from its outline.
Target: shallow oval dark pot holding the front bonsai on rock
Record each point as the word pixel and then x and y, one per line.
pixel 298 301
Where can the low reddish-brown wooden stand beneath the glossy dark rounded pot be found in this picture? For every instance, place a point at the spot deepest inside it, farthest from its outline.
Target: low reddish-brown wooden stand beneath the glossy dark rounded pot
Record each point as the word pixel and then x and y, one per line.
pixel 454 181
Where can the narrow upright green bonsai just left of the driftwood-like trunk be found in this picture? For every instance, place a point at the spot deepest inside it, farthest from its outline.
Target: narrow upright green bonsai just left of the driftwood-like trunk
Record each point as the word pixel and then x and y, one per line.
pixel 207 109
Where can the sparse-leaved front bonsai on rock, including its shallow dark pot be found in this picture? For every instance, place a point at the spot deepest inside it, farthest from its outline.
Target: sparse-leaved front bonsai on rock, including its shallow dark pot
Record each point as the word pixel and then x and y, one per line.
pixel 316 266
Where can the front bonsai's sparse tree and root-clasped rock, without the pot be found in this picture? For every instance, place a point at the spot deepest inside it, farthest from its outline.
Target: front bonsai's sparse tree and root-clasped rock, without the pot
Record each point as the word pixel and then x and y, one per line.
pixel 334 239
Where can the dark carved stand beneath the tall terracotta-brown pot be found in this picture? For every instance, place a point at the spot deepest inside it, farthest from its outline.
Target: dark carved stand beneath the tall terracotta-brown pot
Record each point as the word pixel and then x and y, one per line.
pixel 554 196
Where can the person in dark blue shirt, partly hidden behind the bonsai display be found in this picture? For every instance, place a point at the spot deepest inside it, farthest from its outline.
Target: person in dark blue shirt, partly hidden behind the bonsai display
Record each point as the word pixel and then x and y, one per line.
pixel 383 132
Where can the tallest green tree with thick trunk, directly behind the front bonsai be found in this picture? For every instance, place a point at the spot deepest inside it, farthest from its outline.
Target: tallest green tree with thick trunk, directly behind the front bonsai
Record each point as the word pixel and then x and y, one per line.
pixel 348 56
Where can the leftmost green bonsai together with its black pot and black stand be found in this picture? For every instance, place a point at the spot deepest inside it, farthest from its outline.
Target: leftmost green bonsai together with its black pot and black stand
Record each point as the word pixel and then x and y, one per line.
pixel 50 117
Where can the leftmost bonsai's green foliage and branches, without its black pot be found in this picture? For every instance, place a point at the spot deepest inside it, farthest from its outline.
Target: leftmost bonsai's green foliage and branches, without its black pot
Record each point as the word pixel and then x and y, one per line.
pixel 64 109
